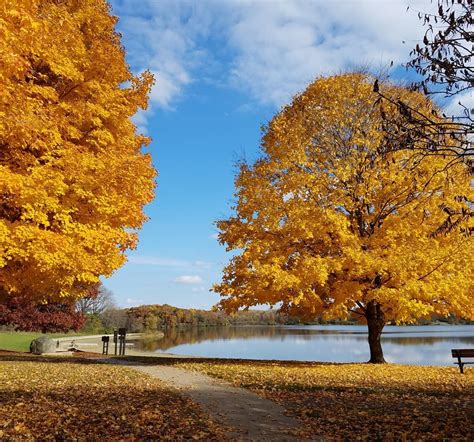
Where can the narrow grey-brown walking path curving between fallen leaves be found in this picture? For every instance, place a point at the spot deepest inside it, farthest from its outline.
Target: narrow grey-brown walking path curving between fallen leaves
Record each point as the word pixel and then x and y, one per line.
pixel 252 417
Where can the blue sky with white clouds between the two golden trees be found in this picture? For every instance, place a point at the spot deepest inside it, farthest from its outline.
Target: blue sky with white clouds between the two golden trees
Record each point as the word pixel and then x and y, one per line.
pixel 222 69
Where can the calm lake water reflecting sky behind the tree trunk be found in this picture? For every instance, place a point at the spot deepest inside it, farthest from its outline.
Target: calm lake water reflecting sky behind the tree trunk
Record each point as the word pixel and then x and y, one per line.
pixel 426 345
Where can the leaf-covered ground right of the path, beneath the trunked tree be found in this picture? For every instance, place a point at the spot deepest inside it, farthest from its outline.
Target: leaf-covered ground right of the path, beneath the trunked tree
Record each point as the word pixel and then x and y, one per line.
pixel 360 401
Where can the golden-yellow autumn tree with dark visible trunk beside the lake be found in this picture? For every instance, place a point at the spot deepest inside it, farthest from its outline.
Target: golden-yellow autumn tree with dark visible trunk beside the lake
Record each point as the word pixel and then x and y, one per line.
pixel 325 224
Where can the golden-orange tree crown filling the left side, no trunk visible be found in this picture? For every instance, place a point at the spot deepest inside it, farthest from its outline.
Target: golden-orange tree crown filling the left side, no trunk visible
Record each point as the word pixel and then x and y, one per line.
pixel 73 178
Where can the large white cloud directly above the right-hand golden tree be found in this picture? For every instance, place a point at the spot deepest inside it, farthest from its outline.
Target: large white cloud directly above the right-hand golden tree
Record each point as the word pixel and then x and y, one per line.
pixel 282 46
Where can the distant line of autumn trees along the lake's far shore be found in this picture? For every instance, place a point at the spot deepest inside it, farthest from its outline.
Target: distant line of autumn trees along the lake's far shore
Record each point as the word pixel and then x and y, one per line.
pixel 97 313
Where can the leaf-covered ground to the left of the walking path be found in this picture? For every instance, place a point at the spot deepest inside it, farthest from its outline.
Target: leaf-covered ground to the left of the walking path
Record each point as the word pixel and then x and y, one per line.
pixel 71 401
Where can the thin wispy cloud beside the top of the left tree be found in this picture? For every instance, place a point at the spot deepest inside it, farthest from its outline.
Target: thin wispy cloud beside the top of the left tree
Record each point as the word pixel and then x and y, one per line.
pixel 162 36
